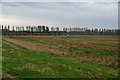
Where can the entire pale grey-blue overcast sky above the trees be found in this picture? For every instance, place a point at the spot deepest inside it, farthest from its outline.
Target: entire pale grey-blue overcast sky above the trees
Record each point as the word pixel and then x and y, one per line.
pixel 61 14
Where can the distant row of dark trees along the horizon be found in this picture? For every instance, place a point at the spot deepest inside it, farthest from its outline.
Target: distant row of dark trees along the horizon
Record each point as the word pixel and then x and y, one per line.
pixel 46 29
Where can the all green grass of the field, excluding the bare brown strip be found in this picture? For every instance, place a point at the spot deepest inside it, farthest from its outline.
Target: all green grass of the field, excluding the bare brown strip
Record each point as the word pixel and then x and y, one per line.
pixel 24 63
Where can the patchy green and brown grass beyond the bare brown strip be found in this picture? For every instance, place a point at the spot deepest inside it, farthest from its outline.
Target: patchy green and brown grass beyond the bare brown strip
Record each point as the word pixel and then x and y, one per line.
pixel 69 47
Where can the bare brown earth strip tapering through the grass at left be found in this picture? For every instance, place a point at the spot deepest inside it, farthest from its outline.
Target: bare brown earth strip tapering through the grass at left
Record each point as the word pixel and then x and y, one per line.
pixel 36 46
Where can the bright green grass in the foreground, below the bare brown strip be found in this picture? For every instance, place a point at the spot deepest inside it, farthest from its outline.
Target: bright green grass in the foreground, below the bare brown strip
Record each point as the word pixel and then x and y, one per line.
pixel 23 63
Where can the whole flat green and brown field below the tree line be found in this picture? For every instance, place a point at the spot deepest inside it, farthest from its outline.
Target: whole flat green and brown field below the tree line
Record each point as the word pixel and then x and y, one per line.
pixel 78 56
